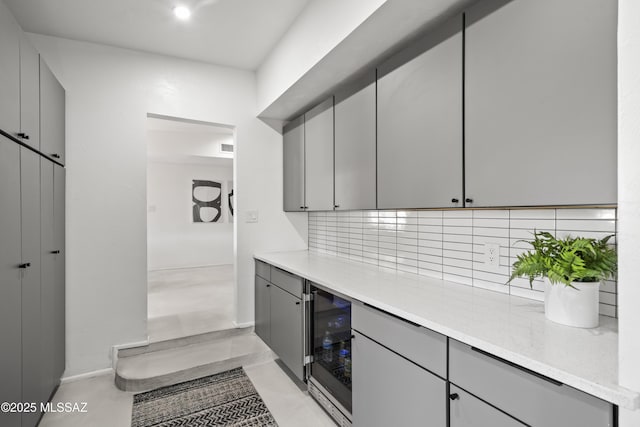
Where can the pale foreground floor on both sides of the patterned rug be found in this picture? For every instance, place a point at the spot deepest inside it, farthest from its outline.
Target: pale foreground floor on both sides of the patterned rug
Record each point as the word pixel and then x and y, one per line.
pixel 109 407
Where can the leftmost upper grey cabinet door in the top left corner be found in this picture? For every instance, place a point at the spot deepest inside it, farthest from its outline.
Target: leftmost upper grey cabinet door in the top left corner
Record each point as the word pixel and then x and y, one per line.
pixel 9 72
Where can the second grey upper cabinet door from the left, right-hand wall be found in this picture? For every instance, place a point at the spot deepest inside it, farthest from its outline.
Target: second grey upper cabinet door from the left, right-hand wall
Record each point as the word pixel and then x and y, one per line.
pixel 318 145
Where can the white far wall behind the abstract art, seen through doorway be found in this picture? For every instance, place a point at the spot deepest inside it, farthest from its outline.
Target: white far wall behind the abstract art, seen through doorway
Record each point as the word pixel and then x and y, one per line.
pixel 174 240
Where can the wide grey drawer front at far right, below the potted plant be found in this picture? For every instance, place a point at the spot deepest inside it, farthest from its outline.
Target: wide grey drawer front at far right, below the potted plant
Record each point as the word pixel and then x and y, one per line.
pixel 536 401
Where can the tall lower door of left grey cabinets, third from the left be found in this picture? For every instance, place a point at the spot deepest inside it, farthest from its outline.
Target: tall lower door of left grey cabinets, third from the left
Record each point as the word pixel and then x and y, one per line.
pixel 47 295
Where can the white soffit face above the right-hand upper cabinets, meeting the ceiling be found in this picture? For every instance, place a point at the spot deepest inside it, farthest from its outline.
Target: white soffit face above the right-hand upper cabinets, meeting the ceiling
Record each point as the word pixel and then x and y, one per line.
pixel 321 26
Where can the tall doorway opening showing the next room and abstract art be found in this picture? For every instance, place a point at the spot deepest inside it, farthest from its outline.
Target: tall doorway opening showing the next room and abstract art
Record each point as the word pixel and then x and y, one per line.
pixel 190 228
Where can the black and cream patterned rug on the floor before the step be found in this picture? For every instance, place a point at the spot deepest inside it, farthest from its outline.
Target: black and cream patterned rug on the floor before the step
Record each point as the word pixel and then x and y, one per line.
pixel 225 399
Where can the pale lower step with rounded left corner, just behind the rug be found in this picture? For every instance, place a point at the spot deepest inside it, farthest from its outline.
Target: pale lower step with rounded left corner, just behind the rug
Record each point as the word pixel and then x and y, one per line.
pixel 161 367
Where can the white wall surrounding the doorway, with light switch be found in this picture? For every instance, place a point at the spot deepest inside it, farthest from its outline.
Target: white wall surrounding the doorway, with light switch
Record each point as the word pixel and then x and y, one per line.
pixel 109 93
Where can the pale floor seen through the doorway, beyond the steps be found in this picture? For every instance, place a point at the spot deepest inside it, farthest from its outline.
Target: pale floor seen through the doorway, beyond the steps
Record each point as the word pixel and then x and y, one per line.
pixel 189 301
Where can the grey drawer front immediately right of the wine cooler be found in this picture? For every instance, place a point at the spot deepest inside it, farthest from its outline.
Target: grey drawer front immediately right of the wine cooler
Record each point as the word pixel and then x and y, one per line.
pixel 420 345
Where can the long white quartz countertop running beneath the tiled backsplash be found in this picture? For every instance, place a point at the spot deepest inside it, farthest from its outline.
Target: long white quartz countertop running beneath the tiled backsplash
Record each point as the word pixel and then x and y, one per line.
pixel 510 327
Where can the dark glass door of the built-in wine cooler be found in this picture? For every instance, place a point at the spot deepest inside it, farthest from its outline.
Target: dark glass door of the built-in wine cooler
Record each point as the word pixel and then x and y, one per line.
pixel 331 365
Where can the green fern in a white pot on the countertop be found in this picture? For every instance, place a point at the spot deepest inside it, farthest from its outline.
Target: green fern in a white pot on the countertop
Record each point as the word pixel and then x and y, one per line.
pixel 572 268
